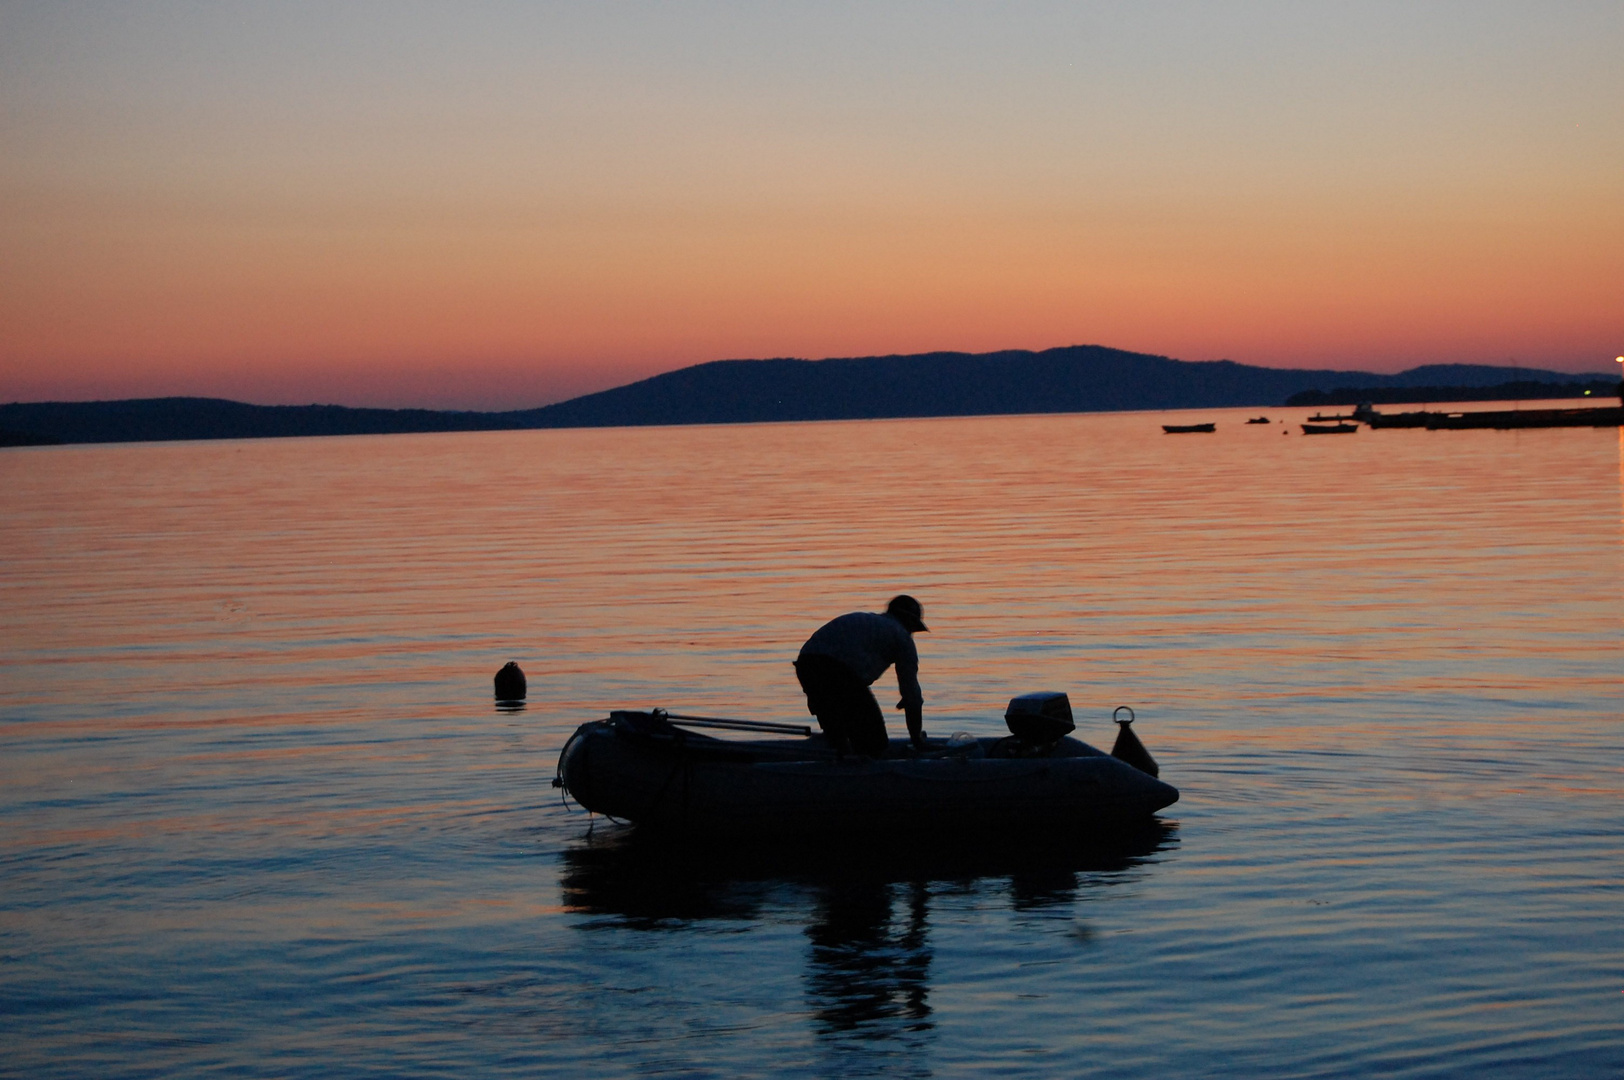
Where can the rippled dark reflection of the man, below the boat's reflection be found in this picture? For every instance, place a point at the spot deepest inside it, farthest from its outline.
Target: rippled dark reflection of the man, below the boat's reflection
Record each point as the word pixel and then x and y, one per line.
pixel 870 972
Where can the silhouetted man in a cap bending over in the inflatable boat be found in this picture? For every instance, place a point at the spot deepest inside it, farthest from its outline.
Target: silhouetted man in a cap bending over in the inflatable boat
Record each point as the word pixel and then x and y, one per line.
pixel 845 657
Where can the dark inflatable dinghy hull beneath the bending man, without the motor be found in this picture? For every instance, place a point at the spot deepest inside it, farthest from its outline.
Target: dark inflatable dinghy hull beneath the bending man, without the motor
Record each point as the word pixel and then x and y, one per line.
pixel 797 788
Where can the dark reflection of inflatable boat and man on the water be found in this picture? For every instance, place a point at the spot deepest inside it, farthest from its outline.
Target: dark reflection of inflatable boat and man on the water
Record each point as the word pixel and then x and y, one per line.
pixel 868 914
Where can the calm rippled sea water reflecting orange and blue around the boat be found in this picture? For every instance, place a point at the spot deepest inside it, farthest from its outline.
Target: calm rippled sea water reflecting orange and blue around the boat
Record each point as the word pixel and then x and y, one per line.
pixel 261 818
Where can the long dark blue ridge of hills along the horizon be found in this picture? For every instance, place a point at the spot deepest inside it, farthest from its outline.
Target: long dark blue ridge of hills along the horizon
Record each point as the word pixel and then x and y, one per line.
pixel 1076 379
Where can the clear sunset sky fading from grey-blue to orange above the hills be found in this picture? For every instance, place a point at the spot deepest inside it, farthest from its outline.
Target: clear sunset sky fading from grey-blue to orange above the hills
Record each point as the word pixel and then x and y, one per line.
pixel 501 205
